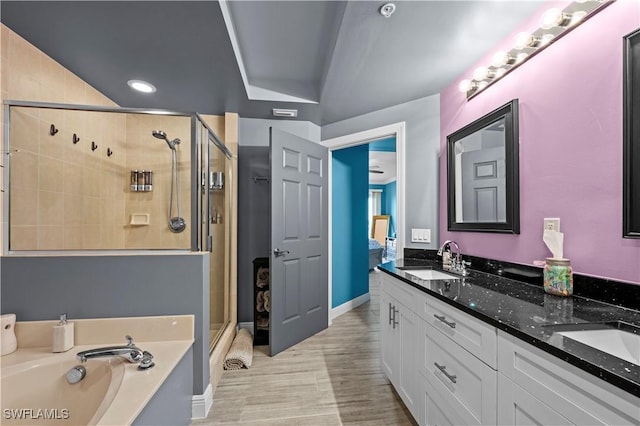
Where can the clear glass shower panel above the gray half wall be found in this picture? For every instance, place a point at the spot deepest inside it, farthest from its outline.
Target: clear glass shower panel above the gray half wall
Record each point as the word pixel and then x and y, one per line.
pixel 83 179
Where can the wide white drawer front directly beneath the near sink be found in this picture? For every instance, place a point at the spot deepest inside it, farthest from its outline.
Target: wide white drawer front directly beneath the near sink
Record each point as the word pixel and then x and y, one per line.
pixel 577 395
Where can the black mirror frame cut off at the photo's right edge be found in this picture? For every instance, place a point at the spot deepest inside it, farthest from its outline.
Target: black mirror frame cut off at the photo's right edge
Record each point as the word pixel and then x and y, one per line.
pixel 631 137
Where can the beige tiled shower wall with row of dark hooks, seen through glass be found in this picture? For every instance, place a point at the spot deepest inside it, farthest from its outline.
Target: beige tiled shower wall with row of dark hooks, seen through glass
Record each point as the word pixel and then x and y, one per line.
pixel 66 195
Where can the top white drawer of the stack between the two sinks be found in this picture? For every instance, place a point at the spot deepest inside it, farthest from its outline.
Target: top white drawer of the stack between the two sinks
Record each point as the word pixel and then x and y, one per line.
pixel 472 334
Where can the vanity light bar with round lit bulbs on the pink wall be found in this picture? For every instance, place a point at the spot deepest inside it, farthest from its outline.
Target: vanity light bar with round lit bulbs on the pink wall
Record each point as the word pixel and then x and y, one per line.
pixel 554 24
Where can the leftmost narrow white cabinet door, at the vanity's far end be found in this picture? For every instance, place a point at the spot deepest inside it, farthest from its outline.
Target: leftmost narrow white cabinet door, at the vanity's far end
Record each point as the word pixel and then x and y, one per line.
pixel 389 339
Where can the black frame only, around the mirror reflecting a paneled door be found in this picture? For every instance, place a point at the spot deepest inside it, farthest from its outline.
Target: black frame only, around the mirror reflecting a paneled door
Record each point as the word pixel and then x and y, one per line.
pixel 512 224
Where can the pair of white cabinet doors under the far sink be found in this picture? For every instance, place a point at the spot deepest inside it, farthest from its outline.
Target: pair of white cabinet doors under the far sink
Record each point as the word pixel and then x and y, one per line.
pixel 399 350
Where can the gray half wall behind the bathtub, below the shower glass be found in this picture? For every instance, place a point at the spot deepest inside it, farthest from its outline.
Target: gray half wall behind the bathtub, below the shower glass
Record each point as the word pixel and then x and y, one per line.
pixel 92 286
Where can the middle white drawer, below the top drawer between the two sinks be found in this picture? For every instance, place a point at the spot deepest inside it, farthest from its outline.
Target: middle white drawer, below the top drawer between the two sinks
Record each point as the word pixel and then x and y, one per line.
pixel 460 378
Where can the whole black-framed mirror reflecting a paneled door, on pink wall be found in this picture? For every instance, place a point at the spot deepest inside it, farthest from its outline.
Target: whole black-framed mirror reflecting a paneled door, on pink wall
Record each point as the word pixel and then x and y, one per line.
pixel 482 174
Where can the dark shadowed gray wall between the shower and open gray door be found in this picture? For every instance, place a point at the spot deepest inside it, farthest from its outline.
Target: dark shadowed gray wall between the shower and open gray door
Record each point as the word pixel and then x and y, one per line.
pixel 254 222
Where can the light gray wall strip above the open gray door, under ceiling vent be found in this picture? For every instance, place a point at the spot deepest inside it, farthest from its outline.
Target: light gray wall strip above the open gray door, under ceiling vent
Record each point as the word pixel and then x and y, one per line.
pixel 255 131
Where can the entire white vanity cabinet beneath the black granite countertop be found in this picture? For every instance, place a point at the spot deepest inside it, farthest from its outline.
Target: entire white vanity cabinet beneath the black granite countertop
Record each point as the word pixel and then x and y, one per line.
pixel 451 368
